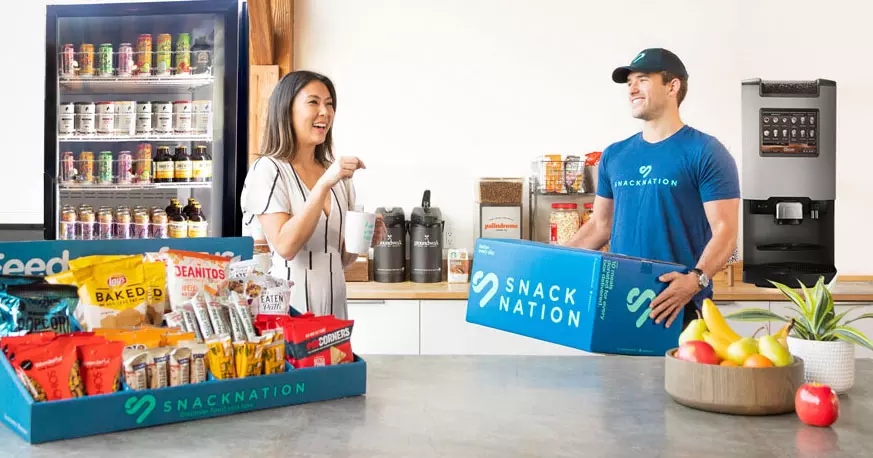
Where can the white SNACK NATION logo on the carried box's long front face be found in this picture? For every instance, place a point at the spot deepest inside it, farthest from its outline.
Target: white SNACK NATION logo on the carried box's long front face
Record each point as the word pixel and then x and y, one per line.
pixel 528 299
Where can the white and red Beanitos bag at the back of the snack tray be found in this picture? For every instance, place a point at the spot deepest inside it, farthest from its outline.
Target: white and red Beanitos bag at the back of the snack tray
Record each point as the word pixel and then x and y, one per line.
pixel 189 272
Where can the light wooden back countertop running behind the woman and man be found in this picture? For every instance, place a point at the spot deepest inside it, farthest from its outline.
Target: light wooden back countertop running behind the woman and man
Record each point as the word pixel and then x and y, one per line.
pixel 861 291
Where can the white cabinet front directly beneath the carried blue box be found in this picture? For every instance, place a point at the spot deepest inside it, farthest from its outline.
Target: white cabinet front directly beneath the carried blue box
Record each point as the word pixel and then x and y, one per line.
pixel 445 331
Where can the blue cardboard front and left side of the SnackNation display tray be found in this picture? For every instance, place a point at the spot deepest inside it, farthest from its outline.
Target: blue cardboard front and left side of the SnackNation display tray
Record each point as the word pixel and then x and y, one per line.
pixel 38 422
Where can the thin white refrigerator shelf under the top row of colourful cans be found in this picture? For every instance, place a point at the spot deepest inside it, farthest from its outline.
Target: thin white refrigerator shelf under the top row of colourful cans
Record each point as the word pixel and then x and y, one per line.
pixel 98 84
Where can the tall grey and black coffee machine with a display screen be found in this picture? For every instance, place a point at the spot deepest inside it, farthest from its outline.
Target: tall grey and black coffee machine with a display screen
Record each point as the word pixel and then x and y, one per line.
pixel 789 181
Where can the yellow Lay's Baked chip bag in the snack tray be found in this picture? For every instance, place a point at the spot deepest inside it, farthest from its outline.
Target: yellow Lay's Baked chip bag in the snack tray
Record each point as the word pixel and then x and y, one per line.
pixel 113 294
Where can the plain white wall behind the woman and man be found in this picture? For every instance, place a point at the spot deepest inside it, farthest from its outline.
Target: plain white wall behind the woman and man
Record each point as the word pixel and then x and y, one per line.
pixel 434 94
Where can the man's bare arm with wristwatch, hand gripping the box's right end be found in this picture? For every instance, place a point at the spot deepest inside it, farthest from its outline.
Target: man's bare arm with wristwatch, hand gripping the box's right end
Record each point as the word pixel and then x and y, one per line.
pixel 723 217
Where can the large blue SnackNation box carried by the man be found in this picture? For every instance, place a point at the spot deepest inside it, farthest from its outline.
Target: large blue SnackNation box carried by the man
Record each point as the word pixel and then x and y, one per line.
pixel 590 300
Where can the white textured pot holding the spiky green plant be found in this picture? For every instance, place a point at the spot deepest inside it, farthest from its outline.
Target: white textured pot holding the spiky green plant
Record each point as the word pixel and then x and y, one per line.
pixel 829 363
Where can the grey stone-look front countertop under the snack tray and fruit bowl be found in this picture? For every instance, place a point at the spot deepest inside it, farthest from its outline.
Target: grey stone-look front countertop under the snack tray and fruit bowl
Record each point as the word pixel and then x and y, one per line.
pixel 609 406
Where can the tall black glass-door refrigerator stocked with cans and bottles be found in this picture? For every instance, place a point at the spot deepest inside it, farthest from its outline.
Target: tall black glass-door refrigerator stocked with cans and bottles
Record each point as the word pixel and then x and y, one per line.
pixel 145 126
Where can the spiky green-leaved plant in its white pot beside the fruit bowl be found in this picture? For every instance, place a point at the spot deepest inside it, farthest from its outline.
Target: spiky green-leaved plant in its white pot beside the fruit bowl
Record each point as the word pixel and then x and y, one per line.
pixel 823 339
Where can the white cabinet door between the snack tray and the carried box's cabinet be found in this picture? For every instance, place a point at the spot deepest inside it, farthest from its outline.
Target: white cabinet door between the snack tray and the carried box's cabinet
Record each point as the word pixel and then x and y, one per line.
pixel 385 327
